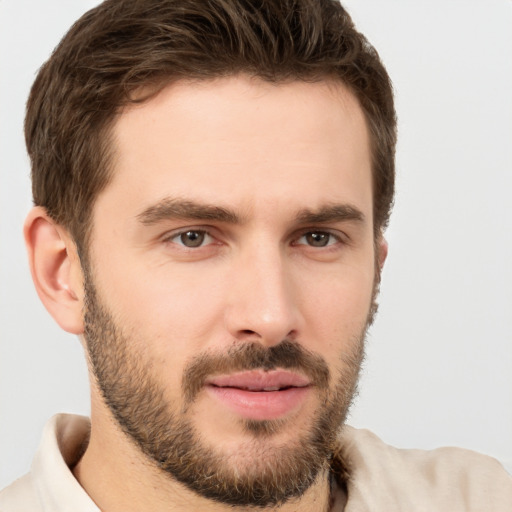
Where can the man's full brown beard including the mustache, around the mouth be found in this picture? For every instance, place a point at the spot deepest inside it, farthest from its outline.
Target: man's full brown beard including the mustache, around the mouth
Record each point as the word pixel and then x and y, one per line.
pixel 261 473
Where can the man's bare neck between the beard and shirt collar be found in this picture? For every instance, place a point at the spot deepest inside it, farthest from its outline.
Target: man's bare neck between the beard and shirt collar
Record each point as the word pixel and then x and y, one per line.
pixel 118 477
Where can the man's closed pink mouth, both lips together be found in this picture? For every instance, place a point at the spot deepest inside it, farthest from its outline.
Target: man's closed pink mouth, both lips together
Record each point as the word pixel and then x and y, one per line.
pixel 260 395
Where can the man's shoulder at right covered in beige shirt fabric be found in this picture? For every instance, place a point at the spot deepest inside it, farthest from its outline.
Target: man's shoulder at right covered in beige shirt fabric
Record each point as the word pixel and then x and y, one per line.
pixel 445 479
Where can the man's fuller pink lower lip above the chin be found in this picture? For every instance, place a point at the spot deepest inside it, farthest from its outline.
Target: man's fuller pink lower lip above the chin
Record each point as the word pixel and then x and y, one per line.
pixel 260 405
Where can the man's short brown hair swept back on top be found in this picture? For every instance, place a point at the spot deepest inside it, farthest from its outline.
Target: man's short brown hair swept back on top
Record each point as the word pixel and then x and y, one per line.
pixel 123 46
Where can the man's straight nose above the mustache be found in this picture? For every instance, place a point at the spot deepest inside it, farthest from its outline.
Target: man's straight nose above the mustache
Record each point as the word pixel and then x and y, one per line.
pixel 262 305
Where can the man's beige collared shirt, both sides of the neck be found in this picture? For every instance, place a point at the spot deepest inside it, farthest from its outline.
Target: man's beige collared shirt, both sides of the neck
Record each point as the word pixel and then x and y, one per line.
pixel 380 478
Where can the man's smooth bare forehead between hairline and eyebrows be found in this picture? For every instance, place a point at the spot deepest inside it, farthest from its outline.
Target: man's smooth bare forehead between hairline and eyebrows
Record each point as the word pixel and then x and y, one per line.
pixel 241 141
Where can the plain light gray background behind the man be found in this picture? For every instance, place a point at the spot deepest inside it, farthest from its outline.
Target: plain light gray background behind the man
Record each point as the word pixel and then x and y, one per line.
pixel 439 366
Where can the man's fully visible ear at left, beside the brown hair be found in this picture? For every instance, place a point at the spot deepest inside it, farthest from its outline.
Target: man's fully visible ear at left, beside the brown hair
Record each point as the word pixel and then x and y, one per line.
pixel 55 269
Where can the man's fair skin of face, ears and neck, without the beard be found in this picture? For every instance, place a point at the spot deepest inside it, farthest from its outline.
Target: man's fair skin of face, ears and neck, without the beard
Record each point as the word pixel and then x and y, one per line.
pixel 269 154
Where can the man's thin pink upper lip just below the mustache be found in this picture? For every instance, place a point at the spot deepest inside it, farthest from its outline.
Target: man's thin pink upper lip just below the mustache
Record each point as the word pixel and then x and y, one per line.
pixel 260 380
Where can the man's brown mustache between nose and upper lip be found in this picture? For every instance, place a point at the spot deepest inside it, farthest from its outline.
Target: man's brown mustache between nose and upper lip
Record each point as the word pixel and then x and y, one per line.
pixel 288 355
